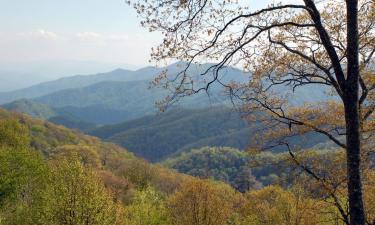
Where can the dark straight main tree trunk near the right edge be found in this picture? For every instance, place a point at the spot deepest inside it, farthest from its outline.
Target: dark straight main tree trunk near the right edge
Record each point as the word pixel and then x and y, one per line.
pixel 352 117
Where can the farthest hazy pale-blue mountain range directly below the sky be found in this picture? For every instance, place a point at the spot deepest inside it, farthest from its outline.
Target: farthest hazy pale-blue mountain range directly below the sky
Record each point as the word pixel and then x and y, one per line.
pixel 113 97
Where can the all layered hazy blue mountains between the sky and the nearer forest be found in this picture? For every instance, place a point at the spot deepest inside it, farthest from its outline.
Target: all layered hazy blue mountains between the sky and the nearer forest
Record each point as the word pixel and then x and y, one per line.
pixel 122 101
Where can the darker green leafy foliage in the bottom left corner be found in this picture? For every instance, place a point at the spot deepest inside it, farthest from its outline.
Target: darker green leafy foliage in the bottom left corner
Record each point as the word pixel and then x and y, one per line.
pixel 23 182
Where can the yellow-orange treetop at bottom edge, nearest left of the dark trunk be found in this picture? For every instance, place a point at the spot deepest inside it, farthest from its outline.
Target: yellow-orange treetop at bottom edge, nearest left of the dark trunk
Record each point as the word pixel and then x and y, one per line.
pixel 275 205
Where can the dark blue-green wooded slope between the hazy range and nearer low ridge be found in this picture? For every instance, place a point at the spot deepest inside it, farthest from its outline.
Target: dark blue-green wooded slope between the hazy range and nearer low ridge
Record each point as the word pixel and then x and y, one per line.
pixel 166 134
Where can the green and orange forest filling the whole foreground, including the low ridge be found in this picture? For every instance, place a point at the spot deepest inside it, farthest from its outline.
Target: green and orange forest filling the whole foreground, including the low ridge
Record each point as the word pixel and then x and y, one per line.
pixel 53 175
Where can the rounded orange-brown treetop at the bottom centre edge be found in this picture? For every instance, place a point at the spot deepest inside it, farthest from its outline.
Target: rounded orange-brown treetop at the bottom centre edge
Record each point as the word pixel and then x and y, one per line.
pixel 202 202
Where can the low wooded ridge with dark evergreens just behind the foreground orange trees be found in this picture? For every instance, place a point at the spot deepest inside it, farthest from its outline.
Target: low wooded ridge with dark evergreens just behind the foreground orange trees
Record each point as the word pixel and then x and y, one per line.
pixel 243 171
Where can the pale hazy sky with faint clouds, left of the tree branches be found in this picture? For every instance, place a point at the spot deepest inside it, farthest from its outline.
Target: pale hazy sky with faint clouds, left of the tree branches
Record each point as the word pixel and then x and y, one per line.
pixel 102 31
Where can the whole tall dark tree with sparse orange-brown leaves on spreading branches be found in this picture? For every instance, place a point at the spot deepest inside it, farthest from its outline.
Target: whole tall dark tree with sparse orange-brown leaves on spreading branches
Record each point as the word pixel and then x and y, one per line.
pixel 313 44
